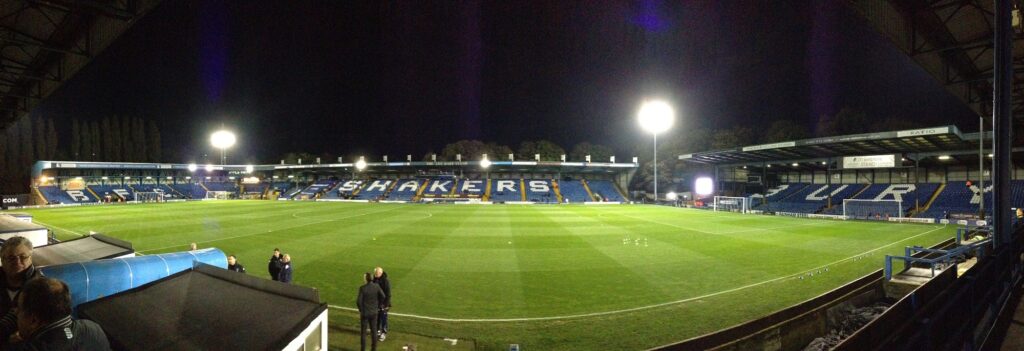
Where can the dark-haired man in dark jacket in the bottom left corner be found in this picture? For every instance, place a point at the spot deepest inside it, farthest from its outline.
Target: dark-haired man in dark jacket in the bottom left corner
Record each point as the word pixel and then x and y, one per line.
pixel 45 321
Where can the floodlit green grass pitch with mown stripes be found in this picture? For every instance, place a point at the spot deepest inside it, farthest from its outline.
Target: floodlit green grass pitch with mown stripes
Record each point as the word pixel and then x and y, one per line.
pixel 548 278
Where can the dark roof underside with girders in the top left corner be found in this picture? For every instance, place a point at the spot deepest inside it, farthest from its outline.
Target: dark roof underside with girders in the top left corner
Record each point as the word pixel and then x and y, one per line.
pixel 45 43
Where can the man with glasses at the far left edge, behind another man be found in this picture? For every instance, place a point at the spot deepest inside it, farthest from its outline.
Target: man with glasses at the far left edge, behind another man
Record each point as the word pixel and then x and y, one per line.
pixel 16 256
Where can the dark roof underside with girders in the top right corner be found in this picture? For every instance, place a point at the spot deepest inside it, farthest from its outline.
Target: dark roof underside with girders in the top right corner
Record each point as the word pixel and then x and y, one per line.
pixel 953 41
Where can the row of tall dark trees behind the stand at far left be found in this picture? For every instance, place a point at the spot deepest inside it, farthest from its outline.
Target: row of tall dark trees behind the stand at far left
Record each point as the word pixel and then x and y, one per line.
pixel 35 139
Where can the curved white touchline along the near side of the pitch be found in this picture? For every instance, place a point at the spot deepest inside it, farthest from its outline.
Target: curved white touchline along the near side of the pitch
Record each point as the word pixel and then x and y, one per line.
pixel 634 310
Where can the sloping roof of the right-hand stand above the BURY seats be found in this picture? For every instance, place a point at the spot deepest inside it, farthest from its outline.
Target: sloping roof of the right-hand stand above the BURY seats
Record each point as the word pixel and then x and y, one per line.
pixel 921 143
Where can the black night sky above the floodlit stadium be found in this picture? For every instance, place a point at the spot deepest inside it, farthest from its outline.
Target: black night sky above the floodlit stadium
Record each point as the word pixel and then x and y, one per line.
pixel 375 78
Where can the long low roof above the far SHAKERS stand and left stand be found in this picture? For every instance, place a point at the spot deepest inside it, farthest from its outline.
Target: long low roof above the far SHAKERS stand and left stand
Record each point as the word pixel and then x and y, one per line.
pixel 373 167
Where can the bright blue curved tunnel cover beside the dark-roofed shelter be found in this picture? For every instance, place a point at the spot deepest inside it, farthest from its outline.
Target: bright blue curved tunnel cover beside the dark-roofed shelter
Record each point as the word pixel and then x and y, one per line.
pixel 95 280
